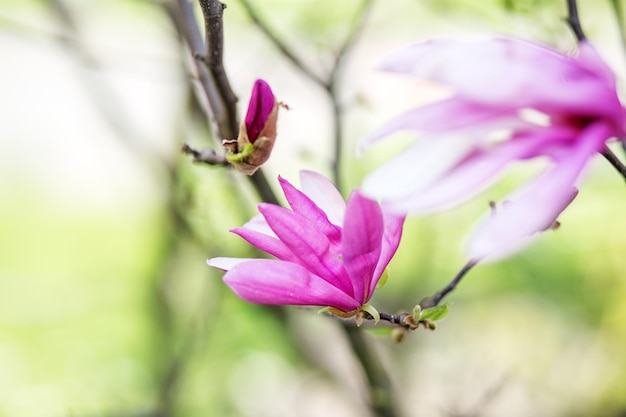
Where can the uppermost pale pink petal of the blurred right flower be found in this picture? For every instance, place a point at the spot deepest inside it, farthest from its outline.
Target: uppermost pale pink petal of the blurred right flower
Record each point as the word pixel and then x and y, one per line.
pixel 518 74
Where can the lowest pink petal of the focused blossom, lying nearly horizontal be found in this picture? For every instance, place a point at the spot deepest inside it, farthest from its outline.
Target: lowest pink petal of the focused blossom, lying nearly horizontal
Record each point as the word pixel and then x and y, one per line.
pixel 267 281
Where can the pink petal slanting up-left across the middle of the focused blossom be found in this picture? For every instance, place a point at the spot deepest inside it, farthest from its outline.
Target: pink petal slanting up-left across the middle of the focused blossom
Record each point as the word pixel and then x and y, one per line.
pixel 308 244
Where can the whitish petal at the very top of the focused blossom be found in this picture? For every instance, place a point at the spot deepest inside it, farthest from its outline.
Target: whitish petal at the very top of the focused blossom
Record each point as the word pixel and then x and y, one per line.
pixel 324 194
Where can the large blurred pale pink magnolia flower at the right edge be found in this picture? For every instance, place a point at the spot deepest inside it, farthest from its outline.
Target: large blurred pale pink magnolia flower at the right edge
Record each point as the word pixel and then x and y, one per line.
pixel 512 100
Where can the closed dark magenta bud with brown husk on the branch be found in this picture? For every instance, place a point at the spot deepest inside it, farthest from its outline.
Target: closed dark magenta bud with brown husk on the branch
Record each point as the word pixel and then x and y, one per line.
pixel 257 132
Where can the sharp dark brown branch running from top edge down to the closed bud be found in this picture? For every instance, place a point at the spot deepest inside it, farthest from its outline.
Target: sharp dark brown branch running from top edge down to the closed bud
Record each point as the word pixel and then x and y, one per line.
pixel 213 13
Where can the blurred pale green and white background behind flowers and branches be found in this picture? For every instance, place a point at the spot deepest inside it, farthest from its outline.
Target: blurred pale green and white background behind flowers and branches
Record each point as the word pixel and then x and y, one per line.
pixel 108 309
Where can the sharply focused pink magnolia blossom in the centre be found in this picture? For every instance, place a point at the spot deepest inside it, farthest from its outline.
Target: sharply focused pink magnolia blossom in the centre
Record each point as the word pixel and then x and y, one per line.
pixel 329 253
